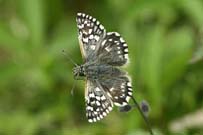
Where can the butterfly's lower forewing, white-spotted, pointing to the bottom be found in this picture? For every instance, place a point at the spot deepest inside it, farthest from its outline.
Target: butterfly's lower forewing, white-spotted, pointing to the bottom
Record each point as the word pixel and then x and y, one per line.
pixel 98 104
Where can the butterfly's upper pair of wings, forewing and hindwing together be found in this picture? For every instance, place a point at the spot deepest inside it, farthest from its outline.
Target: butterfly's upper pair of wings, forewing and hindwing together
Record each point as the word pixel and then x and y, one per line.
pixel 96 44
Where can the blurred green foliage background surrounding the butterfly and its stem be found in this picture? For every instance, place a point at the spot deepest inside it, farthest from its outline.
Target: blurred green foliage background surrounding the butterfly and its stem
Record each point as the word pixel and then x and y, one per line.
pixel 165 40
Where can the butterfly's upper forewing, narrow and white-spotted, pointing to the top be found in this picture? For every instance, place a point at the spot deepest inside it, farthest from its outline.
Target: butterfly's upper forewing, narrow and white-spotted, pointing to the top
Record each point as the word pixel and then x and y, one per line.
pixel 91 33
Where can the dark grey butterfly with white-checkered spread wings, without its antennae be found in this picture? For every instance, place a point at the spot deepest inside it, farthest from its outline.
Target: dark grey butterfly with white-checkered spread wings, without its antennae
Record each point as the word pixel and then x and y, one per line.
pixel 103 54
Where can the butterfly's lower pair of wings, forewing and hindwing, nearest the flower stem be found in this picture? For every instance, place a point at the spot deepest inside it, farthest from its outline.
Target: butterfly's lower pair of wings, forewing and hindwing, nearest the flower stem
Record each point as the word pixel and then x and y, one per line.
pixel 101 95
